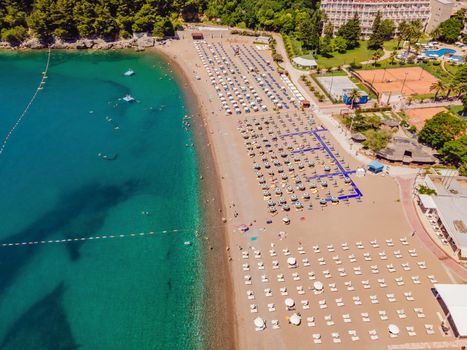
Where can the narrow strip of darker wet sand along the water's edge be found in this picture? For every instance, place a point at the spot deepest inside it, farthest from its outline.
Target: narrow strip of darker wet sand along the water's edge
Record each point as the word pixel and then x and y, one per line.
pixel 221 332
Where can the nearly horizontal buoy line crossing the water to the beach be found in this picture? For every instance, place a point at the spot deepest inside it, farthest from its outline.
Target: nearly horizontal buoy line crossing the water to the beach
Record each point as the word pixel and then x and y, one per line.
pixel 98 237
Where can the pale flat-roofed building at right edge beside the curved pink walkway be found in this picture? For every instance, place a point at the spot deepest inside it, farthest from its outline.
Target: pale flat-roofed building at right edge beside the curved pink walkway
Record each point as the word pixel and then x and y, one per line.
pixel 447 210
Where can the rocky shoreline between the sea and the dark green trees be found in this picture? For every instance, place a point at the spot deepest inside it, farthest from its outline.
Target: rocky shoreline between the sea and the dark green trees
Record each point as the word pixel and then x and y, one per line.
pixel 139 44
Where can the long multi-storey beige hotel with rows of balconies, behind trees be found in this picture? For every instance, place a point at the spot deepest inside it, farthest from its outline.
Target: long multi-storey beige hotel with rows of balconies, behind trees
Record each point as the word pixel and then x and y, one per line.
pixel 340 11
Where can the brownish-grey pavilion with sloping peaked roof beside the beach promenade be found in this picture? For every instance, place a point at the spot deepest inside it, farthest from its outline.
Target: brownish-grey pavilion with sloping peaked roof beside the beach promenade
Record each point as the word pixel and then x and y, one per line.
pixel 407 151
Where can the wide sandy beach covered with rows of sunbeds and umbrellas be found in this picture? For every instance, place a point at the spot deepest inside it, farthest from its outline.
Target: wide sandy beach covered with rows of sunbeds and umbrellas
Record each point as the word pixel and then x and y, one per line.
pixel 308 237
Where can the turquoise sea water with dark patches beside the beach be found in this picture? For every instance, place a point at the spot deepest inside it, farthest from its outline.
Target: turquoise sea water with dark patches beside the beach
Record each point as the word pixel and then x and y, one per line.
pixel 123 293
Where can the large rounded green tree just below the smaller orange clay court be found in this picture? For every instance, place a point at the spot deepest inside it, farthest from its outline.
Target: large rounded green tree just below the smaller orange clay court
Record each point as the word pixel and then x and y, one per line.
pixel 442 128
